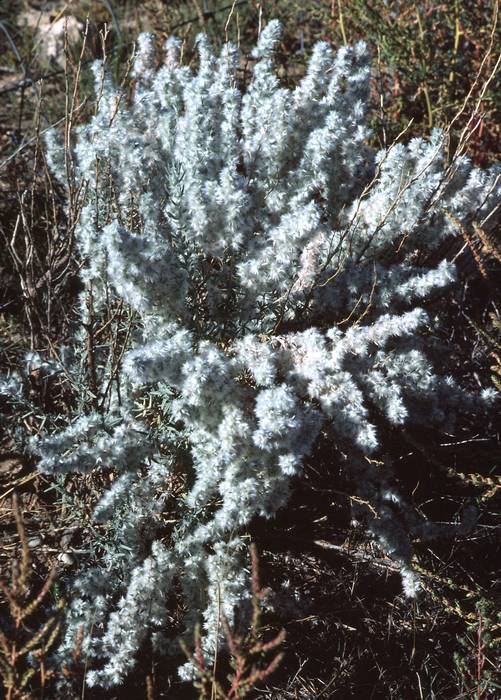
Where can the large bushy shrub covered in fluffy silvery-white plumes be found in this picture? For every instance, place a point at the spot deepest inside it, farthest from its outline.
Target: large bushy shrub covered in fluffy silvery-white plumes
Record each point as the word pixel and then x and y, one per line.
pixel 276 270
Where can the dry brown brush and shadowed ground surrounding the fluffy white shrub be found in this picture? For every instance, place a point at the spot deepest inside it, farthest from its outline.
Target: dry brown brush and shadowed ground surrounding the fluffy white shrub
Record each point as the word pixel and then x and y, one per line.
pixel 349 633
